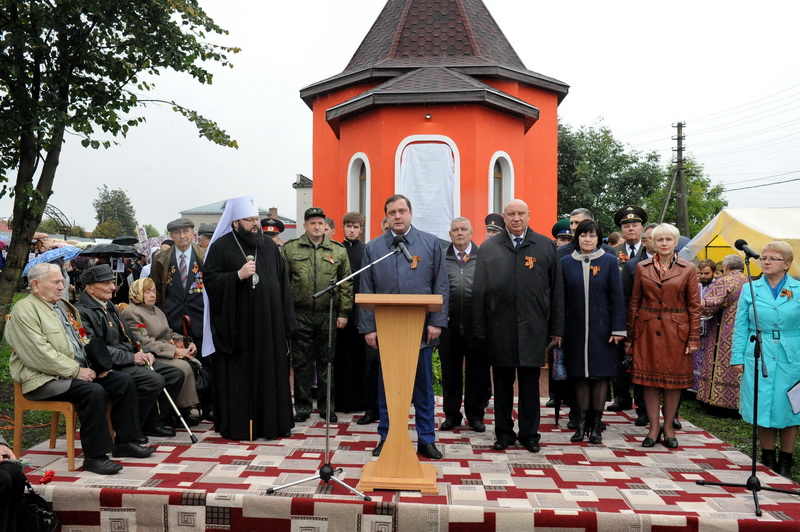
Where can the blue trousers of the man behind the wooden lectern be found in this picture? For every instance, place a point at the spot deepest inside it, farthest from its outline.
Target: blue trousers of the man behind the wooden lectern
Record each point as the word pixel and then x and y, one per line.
pixel 424 403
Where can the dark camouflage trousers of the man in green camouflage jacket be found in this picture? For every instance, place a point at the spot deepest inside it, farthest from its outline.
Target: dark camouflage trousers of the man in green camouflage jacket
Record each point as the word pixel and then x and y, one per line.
pixel 309 347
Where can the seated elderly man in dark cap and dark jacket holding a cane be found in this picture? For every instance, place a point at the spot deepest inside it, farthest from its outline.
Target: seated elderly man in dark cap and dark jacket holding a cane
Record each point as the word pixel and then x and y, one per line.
pixel 102 320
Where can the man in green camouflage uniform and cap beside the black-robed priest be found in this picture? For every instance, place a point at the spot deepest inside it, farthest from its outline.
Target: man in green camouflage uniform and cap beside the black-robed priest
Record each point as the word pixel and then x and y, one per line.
pixel 312 261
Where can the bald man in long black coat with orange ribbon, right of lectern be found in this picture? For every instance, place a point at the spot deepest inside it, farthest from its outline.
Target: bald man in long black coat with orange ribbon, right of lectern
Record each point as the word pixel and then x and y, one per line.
pixel 518 301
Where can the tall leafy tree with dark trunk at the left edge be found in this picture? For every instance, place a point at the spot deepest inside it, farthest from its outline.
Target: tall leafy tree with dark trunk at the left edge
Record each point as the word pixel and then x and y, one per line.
pixel 81 67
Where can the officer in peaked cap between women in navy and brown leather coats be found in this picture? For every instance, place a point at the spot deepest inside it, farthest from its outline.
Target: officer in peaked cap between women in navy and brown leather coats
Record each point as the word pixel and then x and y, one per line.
pixel 630 219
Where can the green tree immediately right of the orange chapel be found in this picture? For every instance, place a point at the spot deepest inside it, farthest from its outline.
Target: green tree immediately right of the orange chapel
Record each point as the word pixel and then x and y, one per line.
pixel 597 172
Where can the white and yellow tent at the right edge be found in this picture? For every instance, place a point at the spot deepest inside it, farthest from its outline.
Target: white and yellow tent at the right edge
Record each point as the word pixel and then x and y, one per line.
pixel 756 226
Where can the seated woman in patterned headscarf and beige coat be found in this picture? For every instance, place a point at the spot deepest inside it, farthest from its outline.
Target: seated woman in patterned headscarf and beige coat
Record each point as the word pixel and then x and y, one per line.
pixel 149 325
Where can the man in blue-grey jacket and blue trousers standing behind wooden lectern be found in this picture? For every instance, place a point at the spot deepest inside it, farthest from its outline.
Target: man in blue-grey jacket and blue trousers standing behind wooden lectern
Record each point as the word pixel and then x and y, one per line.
pixel 426 274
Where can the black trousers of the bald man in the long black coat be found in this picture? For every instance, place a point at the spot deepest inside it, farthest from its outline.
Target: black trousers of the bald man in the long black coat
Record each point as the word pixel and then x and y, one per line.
pixel 528 407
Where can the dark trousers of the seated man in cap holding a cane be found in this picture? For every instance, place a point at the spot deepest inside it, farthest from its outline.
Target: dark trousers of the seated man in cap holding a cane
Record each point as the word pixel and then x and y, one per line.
pixel 149 385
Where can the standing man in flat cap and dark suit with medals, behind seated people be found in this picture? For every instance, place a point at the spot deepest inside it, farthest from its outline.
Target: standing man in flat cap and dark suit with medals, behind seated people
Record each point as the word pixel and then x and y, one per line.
pixel 178 276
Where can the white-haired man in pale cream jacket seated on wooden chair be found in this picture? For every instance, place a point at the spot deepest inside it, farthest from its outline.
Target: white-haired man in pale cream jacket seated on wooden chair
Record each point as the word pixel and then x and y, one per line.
pixel 52 360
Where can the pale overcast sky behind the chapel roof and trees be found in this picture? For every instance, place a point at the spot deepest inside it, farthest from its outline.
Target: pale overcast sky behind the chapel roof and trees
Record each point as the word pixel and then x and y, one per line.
pixel 730 69
